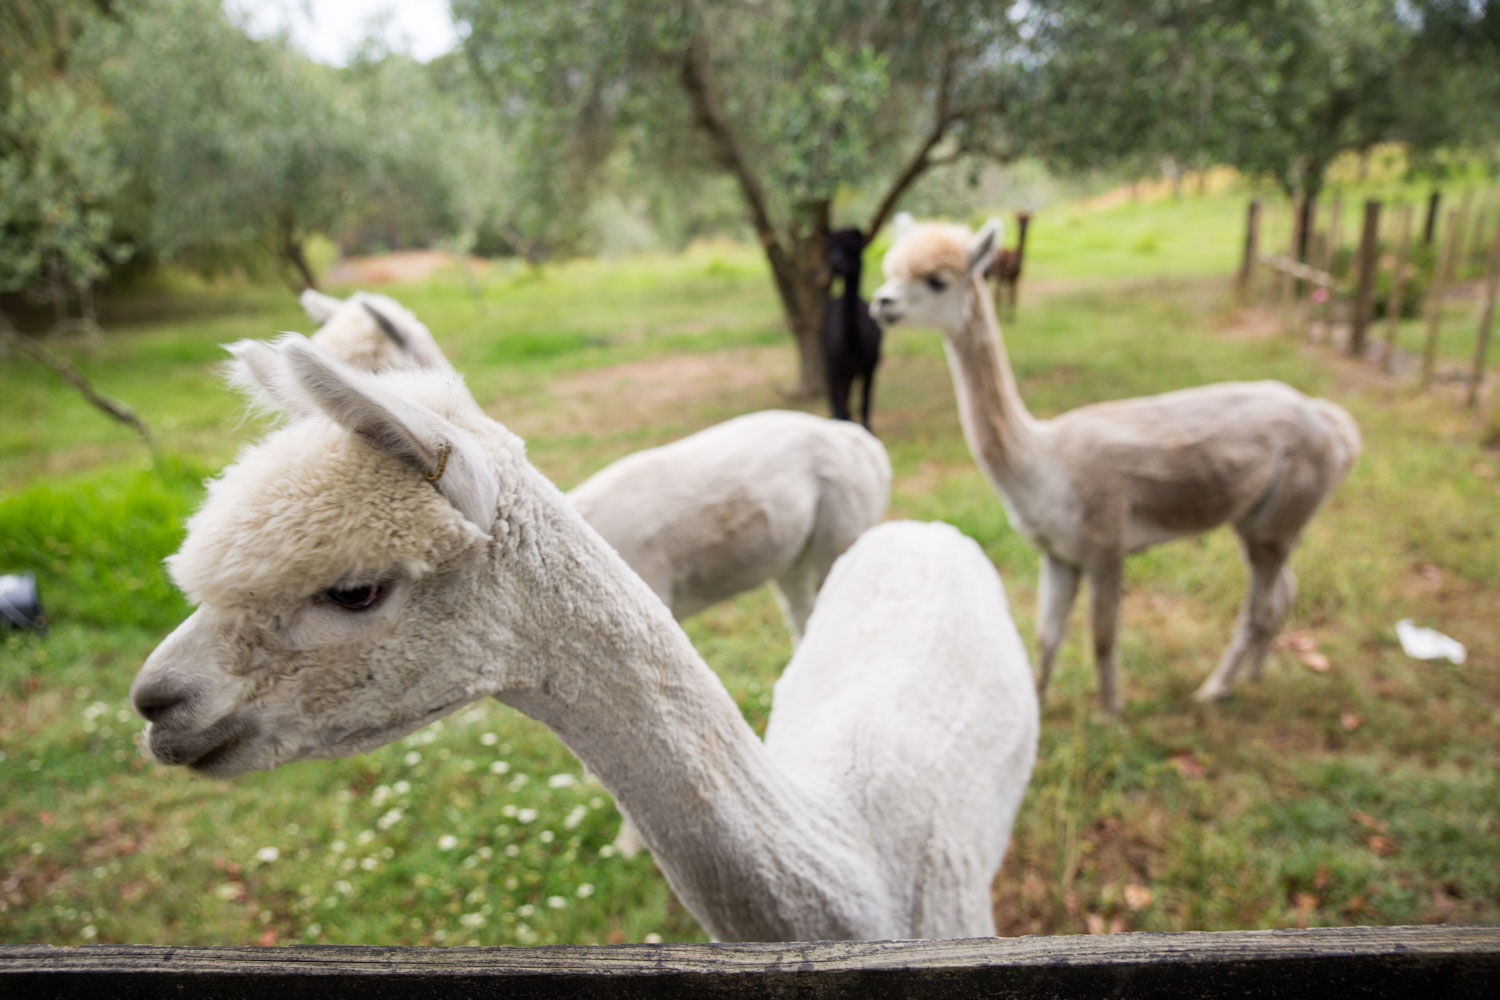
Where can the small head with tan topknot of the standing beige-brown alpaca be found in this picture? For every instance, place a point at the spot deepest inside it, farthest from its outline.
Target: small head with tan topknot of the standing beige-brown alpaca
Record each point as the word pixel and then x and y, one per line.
pixel 931 274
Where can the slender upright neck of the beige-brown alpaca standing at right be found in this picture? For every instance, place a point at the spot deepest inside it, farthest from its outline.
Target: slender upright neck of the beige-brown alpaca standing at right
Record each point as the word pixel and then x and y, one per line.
pixel 1001 433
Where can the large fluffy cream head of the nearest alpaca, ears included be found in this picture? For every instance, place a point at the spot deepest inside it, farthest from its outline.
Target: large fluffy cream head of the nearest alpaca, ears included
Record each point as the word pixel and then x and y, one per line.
pixel 335 567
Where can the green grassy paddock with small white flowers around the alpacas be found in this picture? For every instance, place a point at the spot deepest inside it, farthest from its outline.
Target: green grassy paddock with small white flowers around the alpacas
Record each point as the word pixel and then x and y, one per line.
pixel 1360 794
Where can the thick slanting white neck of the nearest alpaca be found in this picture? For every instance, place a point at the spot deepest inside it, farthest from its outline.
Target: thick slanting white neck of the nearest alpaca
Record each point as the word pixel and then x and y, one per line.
pixel 748 851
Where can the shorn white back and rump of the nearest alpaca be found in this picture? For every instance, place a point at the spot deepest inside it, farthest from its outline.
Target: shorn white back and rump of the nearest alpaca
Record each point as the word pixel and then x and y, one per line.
pixel 911 698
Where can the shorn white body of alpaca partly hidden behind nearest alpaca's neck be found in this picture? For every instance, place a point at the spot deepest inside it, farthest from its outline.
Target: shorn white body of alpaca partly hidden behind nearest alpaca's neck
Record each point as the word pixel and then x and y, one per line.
pixel 775 496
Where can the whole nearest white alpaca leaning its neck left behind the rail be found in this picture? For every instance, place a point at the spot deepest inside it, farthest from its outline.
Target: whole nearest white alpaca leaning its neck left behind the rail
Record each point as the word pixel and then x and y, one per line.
pixel 391 557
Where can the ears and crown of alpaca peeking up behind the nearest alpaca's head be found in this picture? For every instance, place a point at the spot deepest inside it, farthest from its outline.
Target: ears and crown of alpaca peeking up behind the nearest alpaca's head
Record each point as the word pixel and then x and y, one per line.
pixel 373 332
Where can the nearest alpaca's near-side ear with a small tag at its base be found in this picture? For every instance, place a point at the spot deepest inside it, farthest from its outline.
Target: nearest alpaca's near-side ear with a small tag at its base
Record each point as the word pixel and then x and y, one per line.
pixel 446 457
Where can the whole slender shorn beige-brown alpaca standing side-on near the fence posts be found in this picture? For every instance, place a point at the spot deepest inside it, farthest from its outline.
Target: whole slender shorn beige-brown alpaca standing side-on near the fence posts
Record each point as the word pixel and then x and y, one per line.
pixel 1102 482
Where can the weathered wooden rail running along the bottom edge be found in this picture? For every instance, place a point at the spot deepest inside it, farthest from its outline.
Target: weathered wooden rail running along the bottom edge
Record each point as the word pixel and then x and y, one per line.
pixel 1420 963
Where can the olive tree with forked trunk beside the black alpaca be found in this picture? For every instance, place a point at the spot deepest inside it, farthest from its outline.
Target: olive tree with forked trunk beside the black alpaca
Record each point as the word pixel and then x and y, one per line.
pixel 799 104
